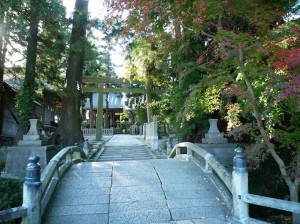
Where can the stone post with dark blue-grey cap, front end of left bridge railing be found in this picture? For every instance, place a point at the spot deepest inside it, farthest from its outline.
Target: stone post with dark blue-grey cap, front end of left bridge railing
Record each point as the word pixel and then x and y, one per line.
pixel 32 190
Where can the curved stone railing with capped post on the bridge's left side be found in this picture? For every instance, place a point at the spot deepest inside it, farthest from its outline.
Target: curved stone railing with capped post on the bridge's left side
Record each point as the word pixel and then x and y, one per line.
pixel 38 189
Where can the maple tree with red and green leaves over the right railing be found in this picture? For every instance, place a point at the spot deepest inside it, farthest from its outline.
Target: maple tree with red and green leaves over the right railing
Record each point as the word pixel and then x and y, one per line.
pixel 237 59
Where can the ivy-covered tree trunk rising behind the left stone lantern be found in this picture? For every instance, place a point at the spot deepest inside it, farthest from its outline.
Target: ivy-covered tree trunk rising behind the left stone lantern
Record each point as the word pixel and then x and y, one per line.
pixel 25 98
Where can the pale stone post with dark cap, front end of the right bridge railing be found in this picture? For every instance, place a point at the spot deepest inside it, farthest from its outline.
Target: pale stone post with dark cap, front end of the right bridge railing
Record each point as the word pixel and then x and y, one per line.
pixel 239 185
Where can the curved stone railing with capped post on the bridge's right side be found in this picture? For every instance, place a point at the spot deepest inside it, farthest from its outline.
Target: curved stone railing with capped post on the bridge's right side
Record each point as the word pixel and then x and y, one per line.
pixel 236 183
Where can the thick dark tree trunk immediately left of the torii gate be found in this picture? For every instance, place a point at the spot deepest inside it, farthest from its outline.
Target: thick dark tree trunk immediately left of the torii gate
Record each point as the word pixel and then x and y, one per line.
pixel 69 128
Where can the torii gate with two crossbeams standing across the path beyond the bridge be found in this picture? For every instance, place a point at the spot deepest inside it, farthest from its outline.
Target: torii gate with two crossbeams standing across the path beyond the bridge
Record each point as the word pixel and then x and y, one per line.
pixel 123 89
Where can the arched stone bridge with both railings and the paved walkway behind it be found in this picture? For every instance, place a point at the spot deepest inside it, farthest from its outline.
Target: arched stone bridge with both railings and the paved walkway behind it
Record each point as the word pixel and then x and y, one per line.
pixel 126 184
